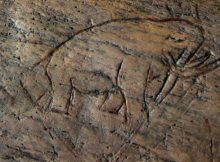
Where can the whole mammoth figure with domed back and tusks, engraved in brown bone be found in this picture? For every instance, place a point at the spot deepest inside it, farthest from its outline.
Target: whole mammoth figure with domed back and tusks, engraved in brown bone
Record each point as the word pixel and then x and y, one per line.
pixel 114 59
